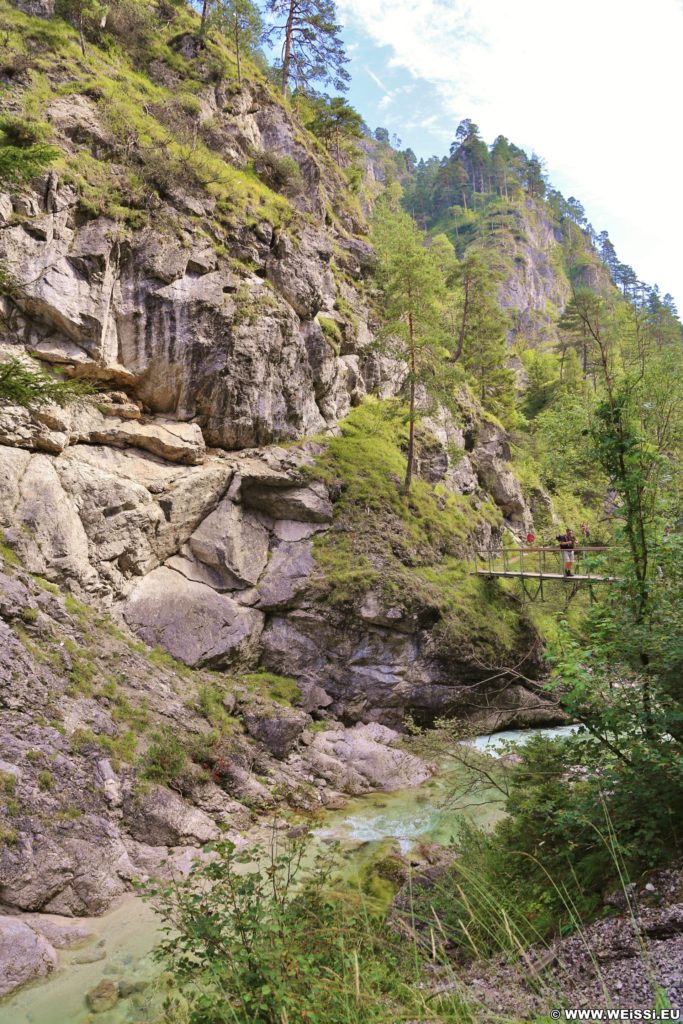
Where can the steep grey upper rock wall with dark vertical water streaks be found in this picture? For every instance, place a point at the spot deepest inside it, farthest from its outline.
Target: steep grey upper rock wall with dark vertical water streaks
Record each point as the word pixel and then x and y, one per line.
pixel 206 326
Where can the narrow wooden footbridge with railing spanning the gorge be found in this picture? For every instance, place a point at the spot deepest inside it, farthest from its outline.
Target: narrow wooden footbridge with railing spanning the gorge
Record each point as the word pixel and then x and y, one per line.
pixel 535 567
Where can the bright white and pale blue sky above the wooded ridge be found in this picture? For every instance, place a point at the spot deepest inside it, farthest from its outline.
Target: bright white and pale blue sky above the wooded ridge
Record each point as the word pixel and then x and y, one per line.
pixel 594 88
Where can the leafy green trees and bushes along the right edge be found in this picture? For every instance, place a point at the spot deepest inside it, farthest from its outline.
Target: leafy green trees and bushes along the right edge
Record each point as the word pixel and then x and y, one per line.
pixel 597 809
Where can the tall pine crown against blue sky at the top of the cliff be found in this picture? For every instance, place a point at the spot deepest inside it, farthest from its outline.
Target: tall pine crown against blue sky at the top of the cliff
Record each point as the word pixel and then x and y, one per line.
pixel 313 49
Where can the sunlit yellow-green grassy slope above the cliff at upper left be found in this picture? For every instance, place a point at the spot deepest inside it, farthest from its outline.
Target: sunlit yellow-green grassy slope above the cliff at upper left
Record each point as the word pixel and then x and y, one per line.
pixel 152 147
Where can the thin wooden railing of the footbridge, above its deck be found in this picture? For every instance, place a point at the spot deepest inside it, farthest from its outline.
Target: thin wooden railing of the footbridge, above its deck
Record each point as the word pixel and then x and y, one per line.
pixel 591 562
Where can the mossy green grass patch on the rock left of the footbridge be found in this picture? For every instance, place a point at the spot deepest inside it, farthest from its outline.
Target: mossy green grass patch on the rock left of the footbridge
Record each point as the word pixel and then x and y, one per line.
pixel 410 548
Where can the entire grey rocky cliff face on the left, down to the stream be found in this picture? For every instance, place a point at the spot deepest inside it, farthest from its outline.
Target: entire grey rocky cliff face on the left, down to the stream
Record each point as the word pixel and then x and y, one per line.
pixel 166 508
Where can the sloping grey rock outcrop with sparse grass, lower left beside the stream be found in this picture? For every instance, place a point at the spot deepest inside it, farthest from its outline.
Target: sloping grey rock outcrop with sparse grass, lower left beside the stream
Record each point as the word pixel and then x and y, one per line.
pixel 116 760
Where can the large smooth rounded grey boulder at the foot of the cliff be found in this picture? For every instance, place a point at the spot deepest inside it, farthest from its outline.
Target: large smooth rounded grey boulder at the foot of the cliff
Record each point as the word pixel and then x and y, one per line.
pixel 191 621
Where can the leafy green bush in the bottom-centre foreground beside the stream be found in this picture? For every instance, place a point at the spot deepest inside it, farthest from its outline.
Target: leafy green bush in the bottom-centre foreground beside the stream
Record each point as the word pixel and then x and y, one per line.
pixel 254 938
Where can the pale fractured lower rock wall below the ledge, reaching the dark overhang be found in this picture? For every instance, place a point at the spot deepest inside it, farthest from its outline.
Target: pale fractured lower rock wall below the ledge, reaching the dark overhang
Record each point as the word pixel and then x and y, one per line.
pixel 211 557
